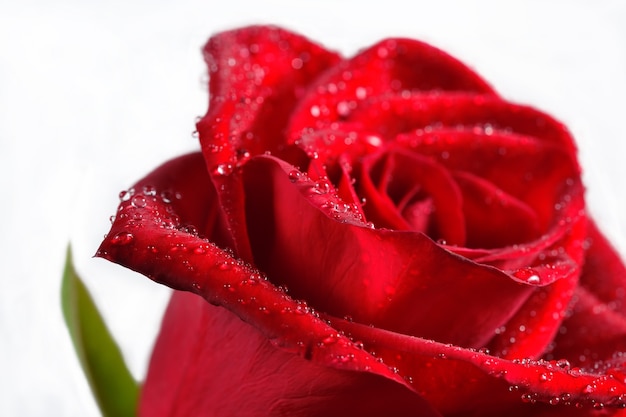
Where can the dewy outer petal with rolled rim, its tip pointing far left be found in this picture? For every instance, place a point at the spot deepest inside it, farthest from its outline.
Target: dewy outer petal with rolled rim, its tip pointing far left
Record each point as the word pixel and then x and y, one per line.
pixel 147 236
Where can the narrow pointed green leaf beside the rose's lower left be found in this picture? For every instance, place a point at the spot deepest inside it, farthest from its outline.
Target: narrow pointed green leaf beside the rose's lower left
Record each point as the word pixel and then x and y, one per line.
pixel 113 386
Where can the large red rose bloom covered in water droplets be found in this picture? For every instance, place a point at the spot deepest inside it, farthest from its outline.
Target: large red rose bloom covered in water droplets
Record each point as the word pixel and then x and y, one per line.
pixel 375 236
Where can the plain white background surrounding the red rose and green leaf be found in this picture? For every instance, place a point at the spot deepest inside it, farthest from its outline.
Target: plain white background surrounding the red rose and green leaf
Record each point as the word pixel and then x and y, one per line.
pixel 93 95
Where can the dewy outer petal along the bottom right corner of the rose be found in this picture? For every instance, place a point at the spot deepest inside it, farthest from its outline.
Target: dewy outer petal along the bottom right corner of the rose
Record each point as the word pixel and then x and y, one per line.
pixel 459 381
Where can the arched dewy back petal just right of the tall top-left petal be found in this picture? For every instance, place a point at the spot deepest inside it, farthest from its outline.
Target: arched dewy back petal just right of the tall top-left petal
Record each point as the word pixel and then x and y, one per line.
pixel 390 66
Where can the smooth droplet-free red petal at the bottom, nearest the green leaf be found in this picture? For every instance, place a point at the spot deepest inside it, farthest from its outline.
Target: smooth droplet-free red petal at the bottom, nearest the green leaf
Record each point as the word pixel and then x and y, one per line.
pixel 208 362
